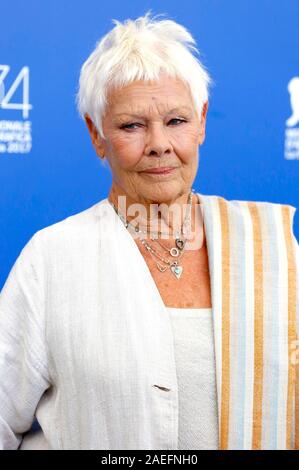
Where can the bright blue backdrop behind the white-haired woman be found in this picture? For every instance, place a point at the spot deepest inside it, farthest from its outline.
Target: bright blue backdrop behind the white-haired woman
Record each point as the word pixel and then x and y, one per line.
pixel 48 168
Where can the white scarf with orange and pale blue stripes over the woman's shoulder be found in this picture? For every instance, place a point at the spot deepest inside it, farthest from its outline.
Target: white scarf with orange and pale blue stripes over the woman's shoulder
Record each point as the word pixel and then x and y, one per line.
pixel 254 272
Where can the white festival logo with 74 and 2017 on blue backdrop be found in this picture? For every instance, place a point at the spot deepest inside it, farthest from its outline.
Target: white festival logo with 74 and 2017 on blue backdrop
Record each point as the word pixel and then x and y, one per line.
pixel 15 135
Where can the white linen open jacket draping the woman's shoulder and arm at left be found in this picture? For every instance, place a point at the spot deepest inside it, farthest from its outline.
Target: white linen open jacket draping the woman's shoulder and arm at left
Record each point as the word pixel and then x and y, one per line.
pixel 86 343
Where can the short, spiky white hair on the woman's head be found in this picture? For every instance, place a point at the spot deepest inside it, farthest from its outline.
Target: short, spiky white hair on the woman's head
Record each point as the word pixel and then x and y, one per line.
pixel 140 50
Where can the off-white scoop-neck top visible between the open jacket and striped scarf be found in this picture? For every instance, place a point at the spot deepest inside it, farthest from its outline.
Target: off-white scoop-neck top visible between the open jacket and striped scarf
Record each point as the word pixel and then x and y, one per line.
pixel 196 373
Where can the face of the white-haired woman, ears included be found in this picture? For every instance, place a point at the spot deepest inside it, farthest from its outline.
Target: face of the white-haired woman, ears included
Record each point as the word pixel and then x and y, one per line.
pixel 146 126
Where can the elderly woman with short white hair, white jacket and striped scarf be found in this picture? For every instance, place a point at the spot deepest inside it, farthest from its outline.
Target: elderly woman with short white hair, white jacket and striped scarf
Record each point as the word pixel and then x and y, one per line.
pixel 172 329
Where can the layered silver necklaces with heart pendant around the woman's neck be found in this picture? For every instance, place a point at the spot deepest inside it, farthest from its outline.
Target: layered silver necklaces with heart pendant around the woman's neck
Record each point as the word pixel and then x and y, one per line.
pixel 175 252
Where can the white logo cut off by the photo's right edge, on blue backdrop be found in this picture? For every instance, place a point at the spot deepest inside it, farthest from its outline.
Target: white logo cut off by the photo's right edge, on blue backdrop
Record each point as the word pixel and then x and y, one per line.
pixel 291 147
